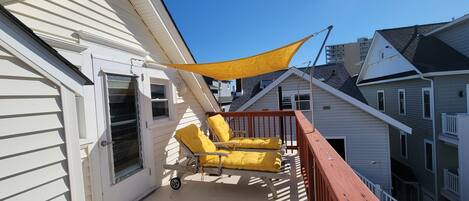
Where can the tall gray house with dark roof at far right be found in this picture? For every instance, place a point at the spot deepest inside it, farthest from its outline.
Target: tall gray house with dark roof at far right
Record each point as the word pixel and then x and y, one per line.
pixel 419 76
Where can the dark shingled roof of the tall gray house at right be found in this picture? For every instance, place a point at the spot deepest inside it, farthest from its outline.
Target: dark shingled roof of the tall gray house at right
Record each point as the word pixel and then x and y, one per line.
pixel 426 53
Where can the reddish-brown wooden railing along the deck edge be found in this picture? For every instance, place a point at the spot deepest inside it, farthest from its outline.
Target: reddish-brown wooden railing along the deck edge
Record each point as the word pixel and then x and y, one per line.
pixel 327 177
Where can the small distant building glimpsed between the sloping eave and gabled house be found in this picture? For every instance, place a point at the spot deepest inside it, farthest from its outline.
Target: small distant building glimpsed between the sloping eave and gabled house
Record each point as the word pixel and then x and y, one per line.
pixel 222 92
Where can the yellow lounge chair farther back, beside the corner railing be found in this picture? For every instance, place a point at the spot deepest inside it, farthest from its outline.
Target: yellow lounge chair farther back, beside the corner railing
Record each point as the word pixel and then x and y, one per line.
pixel 224 135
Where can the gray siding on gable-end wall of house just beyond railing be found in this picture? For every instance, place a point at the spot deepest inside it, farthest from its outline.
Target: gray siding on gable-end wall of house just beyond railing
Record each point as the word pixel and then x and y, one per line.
pixel 367 138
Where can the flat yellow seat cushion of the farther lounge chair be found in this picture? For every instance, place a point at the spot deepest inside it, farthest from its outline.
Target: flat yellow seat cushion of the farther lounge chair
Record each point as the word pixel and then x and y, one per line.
pixel 257 143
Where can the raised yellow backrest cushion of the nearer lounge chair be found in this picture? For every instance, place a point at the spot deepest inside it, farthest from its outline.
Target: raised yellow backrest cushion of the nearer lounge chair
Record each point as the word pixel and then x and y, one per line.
pixel 195 139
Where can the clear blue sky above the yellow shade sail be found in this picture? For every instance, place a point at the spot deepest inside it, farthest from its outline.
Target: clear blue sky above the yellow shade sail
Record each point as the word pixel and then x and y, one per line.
pixel 218 30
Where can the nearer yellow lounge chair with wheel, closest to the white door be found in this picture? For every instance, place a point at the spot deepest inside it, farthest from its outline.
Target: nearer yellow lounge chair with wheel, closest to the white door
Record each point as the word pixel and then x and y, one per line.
pixel 202 156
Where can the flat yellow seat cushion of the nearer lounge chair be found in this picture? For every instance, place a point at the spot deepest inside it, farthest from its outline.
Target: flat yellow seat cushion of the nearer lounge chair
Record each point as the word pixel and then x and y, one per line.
pixel 269 161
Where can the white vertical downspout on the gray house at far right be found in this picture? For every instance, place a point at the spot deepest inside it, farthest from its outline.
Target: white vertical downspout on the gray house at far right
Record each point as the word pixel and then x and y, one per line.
pixel 432 108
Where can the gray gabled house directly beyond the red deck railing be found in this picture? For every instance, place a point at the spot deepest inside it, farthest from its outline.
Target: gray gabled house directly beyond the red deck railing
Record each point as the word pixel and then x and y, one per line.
pixel 357 131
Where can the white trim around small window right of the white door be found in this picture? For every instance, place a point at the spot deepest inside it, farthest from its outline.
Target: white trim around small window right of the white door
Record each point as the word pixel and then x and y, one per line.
pixel 169 90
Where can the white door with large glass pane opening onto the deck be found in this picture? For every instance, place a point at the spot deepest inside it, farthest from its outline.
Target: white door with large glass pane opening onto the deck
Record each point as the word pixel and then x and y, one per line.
pixel 124 143
